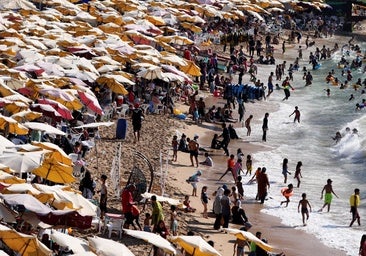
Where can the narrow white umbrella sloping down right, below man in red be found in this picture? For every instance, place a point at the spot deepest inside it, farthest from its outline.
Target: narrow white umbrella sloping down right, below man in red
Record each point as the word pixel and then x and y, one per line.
pixel 153 239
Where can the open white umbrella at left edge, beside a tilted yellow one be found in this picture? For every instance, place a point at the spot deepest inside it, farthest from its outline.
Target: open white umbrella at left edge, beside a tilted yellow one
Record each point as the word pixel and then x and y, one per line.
pixel 22 162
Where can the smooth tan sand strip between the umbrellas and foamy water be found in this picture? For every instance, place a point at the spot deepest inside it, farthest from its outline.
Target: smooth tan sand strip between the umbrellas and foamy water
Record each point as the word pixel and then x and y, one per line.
pixel 283 238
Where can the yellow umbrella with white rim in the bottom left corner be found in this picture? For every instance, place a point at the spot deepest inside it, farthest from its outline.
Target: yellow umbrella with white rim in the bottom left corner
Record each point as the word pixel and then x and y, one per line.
pixel 24 245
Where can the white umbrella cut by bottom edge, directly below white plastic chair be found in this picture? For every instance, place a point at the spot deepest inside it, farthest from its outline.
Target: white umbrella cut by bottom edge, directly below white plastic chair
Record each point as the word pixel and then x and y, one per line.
pixel 108 247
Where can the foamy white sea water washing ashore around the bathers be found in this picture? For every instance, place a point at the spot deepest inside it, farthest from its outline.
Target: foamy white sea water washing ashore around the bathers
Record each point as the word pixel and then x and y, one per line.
pixel 311 143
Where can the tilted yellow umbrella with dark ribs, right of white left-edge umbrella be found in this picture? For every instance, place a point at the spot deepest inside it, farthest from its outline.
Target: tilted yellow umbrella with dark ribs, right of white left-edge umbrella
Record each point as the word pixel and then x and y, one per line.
pixel 55 171
